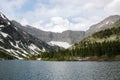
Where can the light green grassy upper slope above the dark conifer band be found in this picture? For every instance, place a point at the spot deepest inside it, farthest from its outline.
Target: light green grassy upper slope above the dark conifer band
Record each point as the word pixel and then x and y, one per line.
pixel 110 34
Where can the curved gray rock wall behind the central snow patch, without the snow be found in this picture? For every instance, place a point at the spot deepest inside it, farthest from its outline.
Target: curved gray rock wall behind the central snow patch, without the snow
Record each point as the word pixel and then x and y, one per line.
pixel 67 36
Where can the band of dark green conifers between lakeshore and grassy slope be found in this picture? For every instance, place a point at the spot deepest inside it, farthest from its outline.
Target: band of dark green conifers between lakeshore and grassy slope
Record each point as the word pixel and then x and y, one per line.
pixel 106 49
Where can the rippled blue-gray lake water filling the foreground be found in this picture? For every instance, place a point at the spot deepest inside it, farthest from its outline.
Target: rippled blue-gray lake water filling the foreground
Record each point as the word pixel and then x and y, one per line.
pixel 42 70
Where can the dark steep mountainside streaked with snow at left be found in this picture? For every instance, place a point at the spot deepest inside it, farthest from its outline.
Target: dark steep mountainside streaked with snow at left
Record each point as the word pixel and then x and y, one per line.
pixel 18 44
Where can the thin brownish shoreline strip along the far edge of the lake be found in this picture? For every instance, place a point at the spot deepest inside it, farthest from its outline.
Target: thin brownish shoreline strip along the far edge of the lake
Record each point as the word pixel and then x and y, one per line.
pixel 76 59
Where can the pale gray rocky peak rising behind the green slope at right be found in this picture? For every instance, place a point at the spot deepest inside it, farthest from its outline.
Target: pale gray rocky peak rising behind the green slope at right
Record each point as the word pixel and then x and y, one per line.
pixel 105 24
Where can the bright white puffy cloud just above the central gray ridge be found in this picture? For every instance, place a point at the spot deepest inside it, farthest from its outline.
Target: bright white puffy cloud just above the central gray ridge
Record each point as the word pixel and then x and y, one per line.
pixel 59 24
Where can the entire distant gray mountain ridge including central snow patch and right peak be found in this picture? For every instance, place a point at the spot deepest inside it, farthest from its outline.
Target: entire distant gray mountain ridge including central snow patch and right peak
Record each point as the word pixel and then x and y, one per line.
pixel 68 38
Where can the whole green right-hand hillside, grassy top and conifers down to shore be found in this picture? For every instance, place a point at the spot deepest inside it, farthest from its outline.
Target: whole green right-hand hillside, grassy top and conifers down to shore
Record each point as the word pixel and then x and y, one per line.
pixel 103 45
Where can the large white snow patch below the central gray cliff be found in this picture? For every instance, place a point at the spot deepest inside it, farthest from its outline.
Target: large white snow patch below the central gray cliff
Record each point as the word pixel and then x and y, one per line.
pixel 61 44
